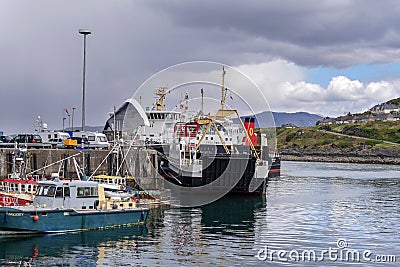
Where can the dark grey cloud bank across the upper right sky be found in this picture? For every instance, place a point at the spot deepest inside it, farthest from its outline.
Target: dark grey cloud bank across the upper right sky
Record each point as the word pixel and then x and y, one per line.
pixel 307 30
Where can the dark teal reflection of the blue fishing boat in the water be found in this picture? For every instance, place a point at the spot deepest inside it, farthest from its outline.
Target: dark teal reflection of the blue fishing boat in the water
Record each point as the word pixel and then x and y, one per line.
pixel 77 249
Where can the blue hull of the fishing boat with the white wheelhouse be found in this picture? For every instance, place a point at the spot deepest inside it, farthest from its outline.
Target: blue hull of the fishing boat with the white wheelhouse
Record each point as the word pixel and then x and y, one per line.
pixel 53 221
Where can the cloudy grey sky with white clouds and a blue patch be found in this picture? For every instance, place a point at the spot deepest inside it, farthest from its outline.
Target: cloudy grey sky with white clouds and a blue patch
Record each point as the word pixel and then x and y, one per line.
pixel 324 57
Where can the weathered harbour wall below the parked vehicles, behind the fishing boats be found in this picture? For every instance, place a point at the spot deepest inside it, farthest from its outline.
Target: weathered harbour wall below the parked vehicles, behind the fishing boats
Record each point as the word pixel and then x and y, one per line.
pixel 45 162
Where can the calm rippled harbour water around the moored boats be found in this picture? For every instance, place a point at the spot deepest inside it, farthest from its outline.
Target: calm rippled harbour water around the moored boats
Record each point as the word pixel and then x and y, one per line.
pixel 311 208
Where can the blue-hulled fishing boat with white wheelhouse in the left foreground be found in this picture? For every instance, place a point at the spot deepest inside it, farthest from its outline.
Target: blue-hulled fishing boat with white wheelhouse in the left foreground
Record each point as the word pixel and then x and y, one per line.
pixel 70 205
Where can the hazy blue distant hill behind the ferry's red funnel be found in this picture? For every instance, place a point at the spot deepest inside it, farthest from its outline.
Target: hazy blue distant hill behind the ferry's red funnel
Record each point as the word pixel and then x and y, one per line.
pixel 281 118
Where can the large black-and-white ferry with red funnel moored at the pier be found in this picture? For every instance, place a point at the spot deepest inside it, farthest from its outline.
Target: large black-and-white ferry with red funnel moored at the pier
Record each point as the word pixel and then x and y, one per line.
pixel 193 149
